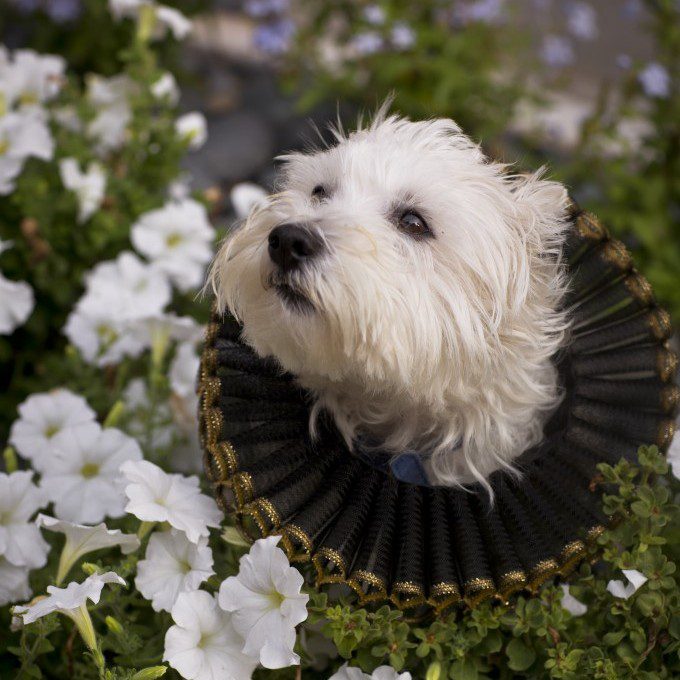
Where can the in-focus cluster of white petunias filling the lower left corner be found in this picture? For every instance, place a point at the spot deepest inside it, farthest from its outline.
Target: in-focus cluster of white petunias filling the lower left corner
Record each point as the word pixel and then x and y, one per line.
pixel 88 473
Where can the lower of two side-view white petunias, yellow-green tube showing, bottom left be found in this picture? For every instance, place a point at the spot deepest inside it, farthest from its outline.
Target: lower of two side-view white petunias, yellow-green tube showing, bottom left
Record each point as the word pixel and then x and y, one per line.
pixel 72 602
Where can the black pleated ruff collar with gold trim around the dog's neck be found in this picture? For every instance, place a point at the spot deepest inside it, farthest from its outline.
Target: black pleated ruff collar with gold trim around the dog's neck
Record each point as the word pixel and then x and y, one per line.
pixel 436 547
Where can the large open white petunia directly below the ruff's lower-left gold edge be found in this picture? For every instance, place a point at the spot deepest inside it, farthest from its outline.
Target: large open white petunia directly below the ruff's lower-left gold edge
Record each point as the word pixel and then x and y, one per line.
pixel 267 604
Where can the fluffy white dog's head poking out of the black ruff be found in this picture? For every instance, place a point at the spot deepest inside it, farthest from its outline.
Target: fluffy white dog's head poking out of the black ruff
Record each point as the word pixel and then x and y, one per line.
pixel 414 288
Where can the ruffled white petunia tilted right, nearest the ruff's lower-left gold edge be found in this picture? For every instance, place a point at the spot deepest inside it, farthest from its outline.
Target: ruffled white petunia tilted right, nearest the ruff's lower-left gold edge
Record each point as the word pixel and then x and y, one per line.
pixel 156 496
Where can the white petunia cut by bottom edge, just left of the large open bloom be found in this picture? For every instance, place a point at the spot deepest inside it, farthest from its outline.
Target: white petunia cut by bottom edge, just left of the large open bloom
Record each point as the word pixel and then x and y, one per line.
pixel 202 645
